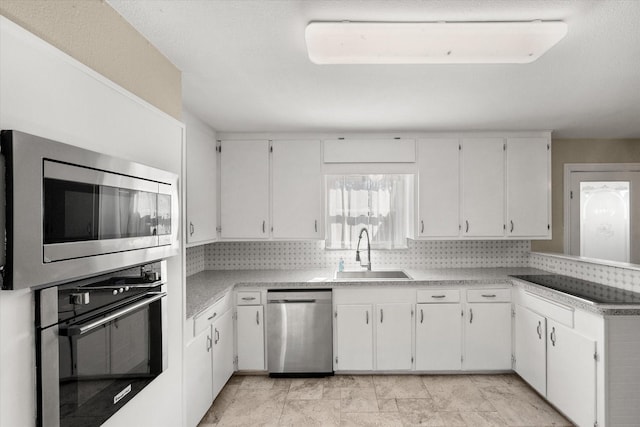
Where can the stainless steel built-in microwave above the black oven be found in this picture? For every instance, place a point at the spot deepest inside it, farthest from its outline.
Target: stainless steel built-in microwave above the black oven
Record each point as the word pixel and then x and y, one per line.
pixel 72 213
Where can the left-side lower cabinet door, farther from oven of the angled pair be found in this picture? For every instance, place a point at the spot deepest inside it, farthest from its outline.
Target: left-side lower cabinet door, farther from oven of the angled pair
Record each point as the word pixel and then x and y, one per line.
pixel 222 351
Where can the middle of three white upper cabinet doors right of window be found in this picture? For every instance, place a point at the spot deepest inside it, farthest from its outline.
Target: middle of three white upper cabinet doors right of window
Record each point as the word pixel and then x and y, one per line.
pixel 483 187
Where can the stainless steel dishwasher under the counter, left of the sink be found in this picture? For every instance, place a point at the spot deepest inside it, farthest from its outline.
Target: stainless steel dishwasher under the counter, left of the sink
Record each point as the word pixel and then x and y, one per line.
pixel 299 332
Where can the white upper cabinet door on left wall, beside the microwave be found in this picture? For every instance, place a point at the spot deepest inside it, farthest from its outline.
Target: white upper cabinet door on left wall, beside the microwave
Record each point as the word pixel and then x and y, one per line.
pixel 202 176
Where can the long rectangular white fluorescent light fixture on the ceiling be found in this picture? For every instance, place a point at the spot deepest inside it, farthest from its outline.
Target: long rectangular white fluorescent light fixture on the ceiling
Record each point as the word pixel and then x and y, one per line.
pixel 432 42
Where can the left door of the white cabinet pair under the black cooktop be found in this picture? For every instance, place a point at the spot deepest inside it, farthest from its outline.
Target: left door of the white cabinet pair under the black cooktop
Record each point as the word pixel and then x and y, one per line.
pixel 531 348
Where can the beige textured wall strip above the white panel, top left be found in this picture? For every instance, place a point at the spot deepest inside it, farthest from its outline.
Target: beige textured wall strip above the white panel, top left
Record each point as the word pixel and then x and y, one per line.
pixel 92 32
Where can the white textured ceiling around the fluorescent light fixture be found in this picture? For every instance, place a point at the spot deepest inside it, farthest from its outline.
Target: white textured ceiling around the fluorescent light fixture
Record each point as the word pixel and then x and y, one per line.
pixel 245 68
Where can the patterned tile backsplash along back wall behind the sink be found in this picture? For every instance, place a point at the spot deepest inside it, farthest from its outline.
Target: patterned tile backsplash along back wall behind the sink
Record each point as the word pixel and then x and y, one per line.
pixel 299 255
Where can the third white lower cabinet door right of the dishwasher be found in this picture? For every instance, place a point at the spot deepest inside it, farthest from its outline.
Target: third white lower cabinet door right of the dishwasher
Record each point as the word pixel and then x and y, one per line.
pixel 438 337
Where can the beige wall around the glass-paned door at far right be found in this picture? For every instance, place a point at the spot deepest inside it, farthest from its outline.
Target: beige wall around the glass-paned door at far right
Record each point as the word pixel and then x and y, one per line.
pixel 579 151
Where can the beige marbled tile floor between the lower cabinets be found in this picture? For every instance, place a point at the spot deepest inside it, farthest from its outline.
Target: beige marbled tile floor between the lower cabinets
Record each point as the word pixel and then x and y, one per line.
pixel 408 400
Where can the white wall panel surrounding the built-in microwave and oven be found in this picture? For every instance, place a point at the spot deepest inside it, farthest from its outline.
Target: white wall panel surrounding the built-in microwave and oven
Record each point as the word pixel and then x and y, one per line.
pixel 47 93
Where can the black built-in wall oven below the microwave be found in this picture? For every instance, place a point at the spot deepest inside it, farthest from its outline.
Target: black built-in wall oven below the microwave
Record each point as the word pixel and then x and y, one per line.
pixel 99 341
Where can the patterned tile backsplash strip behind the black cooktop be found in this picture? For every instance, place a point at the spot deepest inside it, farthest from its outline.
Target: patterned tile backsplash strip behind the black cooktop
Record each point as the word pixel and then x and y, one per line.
pixel 618 277
